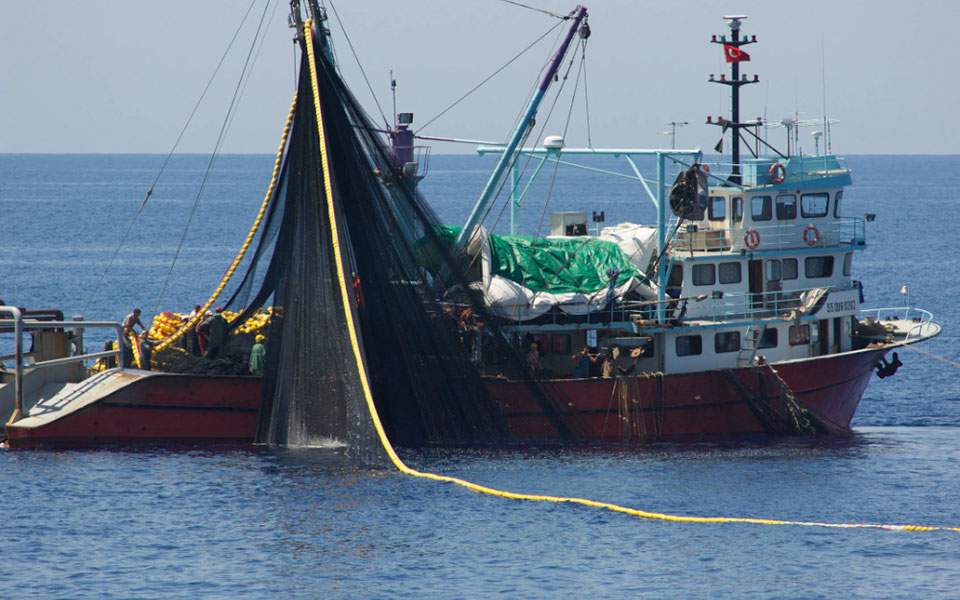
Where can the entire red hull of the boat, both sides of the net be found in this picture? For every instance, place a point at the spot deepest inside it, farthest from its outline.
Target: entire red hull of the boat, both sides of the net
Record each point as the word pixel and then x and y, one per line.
pixel 191 409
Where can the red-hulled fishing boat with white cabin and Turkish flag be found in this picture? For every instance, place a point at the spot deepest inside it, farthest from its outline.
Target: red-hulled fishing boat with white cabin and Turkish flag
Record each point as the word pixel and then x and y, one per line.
pixel 734 314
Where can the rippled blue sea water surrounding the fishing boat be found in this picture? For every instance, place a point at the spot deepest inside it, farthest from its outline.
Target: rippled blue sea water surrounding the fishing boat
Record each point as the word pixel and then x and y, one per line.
pixel 254 522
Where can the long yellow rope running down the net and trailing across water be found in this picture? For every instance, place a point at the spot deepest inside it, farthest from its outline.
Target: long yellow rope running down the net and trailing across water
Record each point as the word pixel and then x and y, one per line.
pixel 403 468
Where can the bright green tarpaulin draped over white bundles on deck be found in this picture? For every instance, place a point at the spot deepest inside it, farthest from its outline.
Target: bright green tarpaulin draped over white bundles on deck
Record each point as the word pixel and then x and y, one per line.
pixel 556 266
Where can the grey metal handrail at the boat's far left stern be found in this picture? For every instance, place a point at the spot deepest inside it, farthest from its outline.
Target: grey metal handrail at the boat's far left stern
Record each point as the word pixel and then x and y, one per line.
pixel 19 323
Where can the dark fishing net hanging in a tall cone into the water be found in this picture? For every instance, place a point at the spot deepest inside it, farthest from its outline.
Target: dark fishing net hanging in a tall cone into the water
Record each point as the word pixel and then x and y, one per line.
pixel 406 293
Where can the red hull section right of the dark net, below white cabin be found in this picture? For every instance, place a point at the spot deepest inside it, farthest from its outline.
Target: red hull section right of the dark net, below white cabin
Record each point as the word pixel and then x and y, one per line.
pixel 690 406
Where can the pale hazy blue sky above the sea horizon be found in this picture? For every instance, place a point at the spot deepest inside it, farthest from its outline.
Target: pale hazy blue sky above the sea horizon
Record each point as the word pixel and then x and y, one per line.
pixel 110 76
